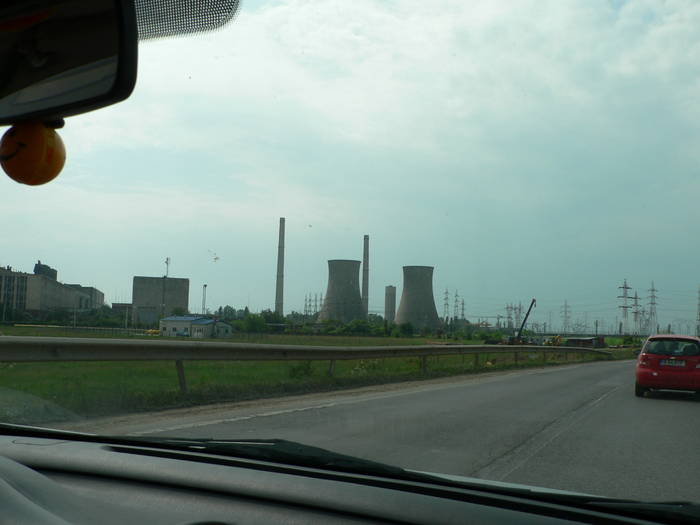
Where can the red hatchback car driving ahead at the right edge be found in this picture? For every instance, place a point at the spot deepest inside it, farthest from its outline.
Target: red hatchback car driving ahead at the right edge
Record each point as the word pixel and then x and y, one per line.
pixel 668 362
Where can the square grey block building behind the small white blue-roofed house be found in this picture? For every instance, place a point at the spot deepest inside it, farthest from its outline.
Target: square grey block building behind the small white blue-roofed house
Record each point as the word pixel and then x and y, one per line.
pixel 154 298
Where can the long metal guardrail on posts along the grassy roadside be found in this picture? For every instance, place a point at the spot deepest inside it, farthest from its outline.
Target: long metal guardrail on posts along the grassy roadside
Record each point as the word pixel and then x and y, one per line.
pixel 18 349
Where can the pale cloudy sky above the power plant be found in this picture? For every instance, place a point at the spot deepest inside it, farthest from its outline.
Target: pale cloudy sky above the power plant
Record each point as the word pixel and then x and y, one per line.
pixel 526 148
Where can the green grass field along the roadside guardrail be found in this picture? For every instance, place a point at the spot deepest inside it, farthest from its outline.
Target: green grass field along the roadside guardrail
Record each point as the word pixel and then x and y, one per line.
pixel 33 392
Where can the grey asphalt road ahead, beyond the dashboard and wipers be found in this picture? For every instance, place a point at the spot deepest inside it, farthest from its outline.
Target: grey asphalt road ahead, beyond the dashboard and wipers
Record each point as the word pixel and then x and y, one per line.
pixel 573 427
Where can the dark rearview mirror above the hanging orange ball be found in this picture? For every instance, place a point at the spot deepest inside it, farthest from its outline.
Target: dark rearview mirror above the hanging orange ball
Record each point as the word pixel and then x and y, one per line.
pixel 63 57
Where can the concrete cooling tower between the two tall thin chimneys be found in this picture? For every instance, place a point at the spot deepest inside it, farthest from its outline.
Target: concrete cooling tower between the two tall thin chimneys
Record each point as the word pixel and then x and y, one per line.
pixel 343 301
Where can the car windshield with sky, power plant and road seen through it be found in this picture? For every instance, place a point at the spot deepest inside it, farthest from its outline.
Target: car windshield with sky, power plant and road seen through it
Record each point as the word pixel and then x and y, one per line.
pixel 429 234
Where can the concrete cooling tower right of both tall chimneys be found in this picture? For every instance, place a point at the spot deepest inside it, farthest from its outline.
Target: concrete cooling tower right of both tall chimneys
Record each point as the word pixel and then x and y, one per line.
pixel 417 304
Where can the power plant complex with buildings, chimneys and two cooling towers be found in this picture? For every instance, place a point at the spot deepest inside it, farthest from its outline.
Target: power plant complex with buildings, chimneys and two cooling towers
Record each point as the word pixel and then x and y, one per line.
pixel 163 301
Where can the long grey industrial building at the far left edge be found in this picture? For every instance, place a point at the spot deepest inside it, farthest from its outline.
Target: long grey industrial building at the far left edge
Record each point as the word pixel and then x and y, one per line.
pixel 42 292
